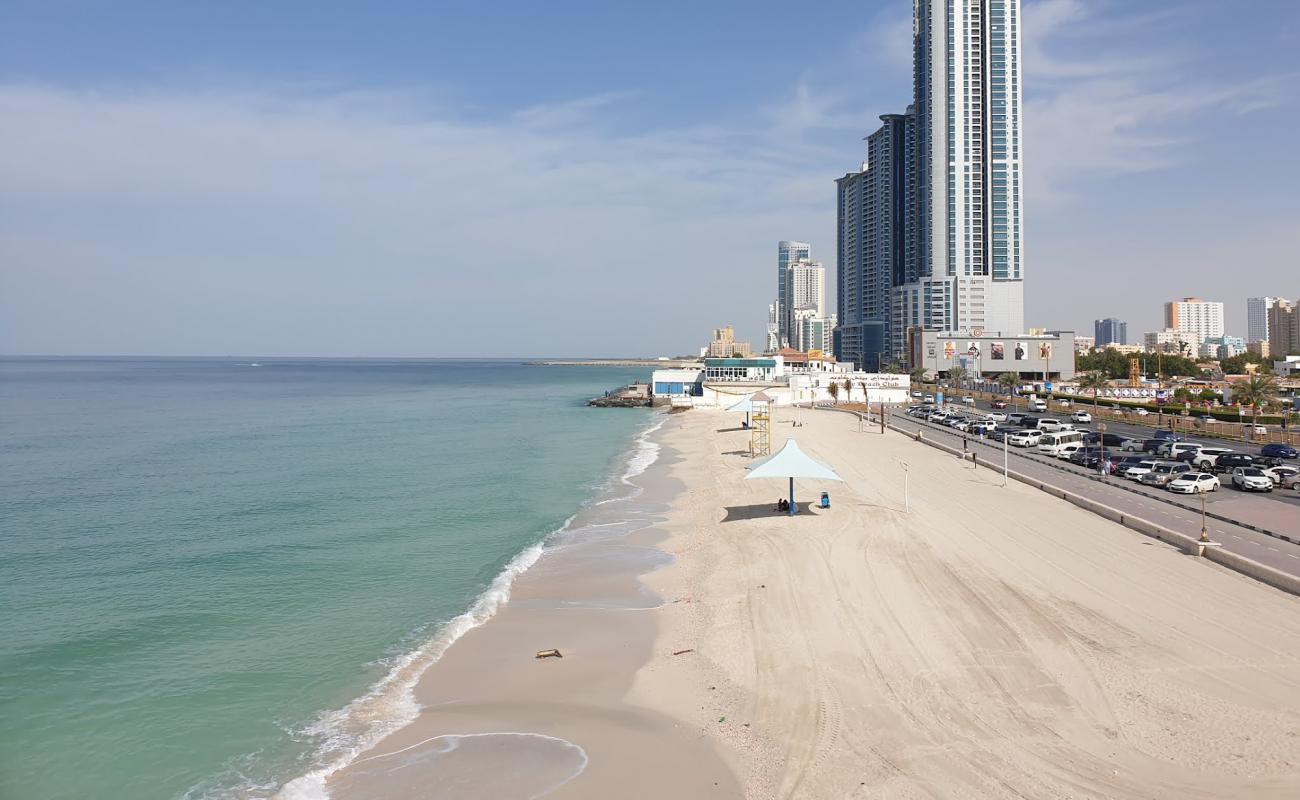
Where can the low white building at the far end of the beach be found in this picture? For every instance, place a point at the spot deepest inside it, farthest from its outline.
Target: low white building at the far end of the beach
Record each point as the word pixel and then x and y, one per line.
pixel 788 378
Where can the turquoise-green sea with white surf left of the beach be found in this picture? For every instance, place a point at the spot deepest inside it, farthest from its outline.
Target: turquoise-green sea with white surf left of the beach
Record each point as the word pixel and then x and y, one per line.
pixel 206 564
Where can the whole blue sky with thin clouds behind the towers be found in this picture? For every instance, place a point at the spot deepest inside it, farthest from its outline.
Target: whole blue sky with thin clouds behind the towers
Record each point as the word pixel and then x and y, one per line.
pixel 402 179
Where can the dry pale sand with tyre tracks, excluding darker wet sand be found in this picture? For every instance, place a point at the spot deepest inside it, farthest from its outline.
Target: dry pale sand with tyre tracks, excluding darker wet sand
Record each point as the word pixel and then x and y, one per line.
pixel 991 643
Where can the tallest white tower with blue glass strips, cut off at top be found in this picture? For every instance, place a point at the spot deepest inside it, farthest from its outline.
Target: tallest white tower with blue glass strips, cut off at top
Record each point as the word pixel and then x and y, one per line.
pixel 968 103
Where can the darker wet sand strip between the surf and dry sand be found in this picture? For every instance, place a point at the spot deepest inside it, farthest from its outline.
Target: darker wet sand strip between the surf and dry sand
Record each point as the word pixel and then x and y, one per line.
pixel 496 723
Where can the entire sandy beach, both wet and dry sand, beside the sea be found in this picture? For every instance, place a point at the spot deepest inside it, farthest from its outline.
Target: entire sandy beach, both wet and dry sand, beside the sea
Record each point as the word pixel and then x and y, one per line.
pixel 990 642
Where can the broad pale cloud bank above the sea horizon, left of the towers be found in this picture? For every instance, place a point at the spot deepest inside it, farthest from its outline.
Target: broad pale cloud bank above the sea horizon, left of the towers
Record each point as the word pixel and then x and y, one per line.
pixel 363 224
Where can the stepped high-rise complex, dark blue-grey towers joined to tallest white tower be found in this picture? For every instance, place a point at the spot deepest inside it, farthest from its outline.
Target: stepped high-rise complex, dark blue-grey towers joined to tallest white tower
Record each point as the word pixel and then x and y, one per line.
pixel 930 231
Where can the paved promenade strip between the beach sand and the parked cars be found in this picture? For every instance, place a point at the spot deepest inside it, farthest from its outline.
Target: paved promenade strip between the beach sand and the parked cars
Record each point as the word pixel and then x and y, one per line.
pixel 1281 516
